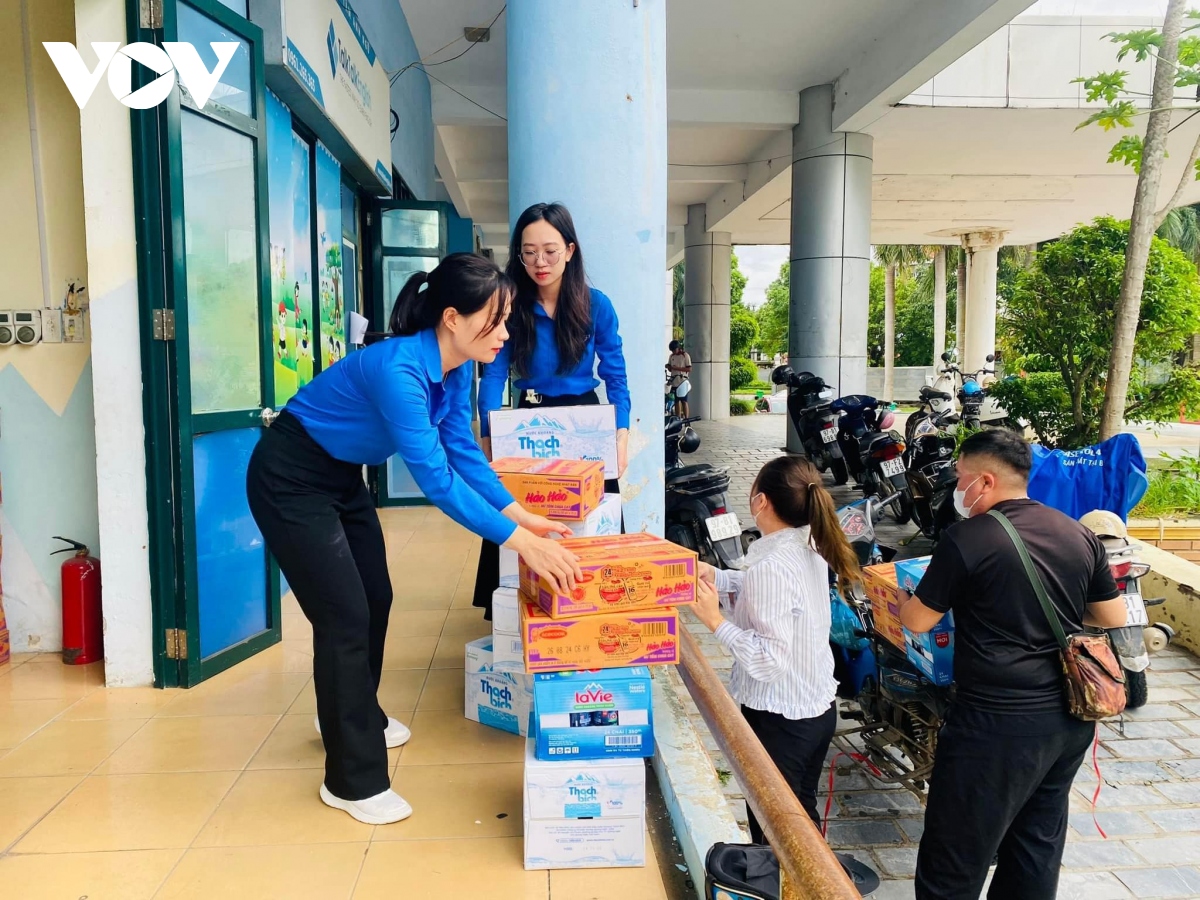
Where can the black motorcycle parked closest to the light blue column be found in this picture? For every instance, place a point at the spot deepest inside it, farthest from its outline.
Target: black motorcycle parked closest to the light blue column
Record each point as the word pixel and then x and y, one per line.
pixel 698 514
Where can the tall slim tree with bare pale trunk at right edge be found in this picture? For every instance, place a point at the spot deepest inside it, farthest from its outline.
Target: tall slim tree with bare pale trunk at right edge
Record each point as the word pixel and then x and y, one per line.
pixel 1177 55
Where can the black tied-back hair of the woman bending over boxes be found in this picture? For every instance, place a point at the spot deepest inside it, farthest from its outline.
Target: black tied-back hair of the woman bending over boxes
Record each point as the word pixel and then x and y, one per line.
pixel 464 283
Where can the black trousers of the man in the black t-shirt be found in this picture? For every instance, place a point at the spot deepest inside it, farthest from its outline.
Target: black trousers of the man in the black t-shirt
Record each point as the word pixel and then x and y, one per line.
pixel 1000 789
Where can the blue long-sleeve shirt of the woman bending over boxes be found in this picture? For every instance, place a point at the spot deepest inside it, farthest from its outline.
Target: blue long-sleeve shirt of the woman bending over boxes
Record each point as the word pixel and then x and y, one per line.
pixel 391 399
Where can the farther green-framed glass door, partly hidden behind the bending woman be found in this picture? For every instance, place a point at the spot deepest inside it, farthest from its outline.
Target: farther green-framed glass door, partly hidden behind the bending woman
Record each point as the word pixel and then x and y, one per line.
pixel 407 237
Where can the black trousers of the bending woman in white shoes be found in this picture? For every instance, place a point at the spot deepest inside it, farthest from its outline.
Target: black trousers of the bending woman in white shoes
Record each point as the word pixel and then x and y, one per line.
pixel 319 520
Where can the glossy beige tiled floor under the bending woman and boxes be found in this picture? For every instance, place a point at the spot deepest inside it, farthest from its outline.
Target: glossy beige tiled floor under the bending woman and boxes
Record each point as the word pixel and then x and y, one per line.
pixel 139 794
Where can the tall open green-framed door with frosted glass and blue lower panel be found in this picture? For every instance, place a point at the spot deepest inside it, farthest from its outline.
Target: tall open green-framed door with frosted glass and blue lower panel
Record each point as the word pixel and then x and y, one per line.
pixel 221 603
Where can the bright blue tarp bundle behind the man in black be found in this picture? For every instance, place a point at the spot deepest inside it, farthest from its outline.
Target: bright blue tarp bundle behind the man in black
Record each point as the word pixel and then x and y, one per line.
pixel 1111 476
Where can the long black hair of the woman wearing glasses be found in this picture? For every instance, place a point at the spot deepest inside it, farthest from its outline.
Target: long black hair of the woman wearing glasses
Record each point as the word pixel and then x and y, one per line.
pixel 573 317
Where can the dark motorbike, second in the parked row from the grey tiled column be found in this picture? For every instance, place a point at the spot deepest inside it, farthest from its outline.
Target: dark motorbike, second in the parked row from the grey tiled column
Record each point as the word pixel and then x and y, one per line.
pixel 874 453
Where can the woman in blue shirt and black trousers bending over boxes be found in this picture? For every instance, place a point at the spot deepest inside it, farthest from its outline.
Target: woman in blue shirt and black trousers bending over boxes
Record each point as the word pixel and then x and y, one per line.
pixel 409 395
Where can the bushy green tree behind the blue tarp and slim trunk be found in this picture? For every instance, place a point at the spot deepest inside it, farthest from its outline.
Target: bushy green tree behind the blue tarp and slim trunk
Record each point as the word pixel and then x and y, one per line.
pixel 1064 314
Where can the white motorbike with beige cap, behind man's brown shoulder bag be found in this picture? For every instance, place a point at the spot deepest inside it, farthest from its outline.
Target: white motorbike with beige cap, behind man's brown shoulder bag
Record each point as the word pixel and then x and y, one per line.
pixel 1135 643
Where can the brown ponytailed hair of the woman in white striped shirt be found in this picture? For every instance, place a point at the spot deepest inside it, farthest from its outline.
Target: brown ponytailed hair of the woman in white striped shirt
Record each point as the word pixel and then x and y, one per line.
pixel 796 494
